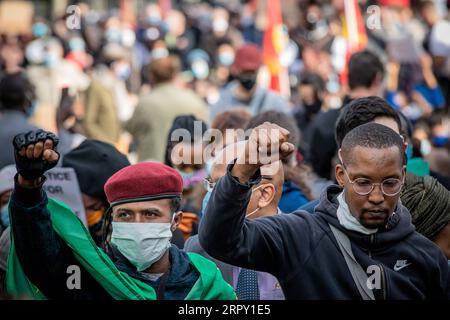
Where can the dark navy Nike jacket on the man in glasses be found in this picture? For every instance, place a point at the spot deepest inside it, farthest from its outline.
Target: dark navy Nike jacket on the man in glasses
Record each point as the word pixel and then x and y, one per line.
pixel 301 251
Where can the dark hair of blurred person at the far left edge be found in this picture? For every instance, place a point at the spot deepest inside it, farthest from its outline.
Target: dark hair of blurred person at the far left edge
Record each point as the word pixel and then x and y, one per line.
pixel 16 92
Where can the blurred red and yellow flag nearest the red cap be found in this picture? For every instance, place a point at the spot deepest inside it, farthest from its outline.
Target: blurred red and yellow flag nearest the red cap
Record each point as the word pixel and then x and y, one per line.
pixel 275 41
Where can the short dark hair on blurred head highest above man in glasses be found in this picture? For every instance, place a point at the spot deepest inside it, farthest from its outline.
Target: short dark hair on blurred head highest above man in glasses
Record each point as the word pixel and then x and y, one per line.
pixel 363 69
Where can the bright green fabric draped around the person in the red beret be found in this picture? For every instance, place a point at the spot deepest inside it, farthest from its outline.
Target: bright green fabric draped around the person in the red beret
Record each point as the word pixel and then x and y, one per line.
pixel 119 285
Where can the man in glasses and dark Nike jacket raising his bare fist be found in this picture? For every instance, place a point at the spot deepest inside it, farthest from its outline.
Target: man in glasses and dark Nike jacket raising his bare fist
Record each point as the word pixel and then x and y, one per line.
pixel 360 244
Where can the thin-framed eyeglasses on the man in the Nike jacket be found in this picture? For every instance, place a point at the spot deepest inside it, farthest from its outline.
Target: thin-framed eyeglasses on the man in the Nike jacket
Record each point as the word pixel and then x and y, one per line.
pixel 362 186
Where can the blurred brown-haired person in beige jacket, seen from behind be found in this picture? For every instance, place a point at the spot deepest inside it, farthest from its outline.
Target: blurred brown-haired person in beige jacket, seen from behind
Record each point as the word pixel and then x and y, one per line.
pixel 156 111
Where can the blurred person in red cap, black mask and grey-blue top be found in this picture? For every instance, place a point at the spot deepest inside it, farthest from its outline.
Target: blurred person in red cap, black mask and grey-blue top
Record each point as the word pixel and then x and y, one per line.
pixel 244 91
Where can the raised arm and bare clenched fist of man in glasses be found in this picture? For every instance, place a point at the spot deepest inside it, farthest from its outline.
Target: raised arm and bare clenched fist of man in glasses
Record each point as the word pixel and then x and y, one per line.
pixel 224 232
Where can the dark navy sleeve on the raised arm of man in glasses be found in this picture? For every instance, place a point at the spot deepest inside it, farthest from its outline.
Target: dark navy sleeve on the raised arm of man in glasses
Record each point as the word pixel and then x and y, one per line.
pixel 263 244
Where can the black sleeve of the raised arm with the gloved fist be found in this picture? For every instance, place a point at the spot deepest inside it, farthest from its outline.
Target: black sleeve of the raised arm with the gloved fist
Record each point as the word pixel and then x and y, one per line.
pixel 43 255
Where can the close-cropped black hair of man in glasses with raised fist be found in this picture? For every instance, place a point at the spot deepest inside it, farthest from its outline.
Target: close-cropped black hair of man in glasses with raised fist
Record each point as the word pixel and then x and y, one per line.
pixel 371 135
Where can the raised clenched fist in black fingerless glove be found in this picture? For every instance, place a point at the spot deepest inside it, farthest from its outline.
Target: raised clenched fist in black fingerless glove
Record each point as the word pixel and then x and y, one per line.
pixel 35 153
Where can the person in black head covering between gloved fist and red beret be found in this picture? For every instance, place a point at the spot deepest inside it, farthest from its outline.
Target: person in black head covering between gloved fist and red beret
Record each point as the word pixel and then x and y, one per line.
pixel 94 163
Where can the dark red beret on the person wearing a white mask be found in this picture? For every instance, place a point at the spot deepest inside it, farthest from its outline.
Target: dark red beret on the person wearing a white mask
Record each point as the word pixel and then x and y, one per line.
pixel 143 182
